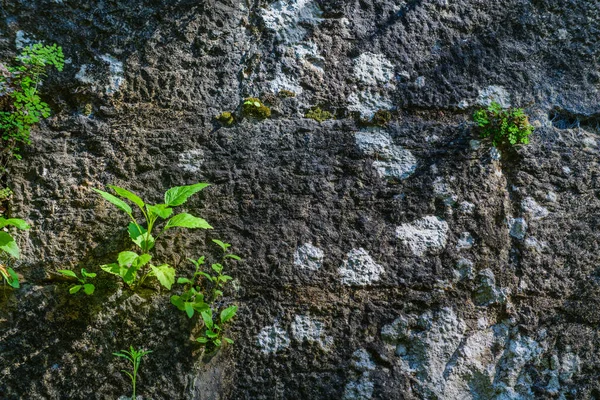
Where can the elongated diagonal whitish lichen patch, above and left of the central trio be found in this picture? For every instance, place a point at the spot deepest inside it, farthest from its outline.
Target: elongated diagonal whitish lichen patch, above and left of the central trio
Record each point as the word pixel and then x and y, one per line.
pixel 393 161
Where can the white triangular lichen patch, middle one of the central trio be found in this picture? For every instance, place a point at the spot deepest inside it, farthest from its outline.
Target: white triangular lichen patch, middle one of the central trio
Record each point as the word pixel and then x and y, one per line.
pixel 359 269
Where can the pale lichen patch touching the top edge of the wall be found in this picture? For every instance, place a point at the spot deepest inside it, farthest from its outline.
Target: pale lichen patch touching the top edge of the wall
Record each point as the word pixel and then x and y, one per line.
pixel 288 18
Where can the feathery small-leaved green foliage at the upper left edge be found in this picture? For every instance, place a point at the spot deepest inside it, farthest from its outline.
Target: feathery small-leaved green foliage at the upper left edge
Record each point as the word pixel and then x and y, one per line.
pixel 21 83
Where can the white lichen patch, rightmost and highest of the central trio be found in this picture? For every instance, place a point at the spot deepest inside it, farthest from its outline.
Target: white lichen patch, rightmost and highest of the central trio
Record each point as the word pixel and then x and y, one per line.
pixel 429 233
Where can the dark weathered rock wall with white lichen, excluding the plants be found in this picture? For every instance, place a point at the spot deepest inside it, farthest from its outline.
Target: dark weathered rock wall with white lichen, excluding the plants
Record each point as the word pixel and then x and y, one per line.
pixel 402 262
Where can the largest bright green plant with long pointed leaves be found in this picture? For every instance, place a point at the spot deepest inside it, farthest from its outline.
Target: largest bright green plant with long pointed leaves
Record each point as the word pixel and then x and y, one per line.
pixel 130 263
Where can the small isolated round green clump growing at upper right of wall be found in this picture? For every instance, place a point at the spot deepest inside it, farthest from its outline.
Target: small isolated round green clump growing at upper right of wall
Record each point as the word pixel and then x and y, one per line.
pixel 505 127
